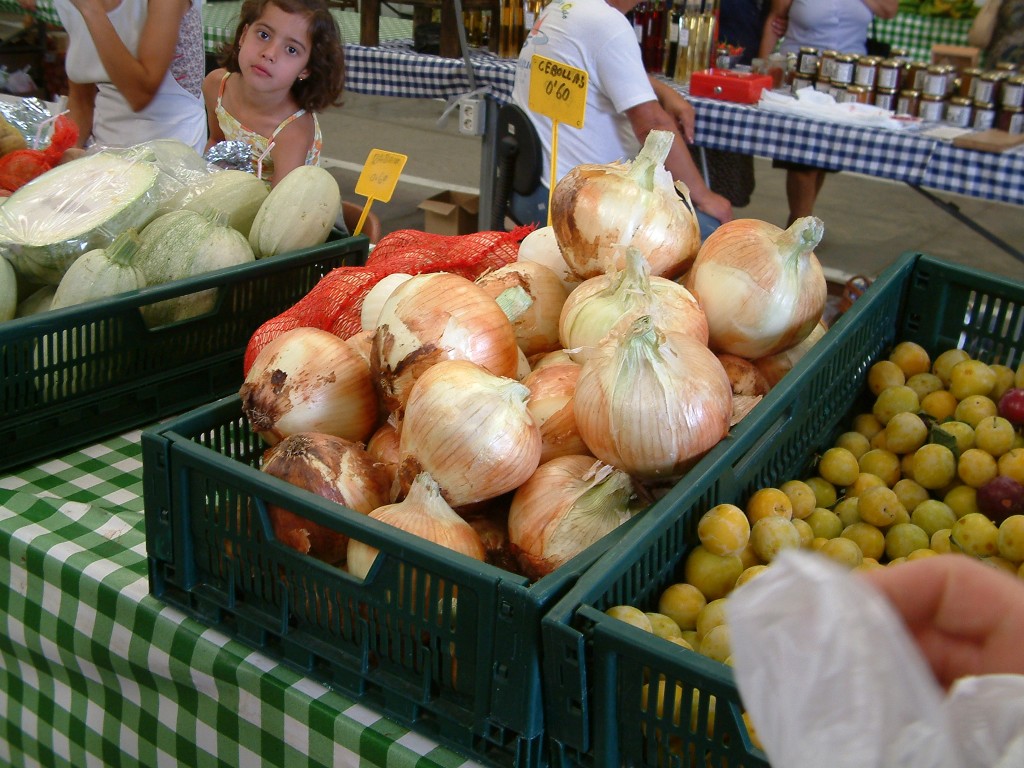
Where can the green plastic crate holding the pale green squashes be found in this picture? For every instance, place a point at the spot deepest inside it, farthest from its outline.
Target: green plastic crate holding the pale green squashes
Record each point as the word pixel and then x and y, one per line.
pixel 73 376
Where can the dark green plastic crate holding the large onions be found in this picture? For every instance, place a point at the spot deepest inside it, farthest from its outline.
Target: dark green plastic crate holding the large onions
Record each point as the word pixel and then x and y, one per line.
pixel 468 678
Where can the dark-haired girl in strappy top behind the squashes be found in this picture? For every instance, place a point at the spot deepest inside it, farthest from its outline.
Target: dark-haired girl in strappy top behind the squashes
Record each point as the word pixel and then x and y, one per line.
pixel 286 65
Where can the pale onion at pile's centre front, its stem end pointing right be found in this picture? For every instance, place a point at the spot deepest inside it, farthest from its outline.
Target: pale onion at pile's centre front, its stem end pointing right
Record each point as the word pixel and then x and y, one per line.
pixel 471 431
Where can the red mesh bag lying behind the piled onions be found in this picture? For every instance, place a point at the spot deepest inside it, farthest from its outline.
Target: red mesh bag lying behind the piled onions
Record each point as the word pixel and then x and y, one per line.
pixel 334 304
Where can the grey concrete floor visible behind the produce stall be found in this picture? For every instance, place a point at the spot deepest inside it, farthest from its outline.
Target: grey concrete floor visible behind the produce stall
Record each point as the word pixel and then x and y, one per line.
pixel 869 222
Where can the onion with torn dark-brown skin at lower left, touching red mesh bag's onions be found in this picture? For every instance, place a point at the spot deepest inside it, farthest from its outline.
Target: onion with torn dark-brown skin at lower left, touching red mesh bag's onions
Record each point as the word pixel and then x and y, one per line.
pixel 433 318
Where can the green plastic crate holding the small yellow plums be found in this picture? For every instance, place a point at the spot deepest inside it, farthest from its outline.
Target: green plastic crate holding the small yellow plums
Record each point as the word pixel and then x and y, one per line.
pixel 595 666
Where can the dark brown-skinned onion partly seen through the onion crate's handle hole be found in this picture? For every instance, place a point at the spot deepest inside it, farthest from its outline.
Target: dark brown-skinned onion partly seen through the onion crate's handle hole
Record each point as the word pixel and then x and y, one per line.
pixel 333 468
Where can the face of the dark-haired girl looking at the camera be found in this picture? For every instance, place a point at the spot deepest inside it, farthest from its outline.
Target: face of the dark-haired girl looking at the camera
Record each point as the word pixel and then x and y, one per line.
pixel 275 50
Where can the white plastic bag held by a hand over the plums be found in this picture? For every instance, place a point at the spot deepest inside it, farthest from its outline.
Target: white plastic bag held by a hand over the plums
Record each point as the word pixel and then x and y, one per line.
pixel 831 677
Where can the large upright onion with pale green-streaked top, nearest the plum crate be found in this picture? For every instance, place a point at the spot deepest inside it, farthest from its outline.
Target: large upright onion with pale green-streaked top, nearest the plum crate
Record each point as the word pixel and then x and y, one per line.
pixel 653 403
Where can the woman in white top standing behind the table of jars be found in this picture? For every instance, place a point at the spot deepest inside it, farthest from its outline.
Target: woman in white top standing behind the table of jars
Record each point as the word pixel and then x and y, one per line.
pixel 827 25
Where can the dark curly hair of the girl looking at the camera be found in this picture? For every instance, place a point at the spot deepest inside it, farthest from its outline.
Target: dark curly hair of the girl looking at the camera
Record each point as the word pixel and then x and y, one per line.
pixel 327 59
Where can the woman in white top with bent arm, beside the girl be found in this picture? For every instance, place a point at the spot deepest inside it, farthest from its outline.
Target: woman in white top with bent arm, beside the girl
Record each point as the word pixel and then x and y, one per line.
pixel 136 71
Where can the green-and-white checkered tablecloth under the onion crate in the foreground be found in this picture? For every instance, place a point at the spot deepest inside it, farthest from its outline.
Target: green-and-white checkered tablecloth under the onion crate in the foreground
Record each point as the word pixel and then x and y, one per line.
pixel 96 671
